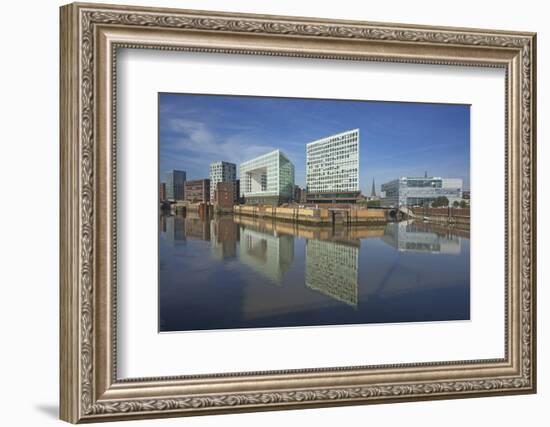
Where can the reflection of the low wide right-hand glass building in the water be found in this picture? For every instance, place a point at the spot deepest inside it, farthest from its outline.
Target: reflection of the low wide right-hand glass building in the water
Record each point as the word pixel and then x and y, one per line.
pixel 410 237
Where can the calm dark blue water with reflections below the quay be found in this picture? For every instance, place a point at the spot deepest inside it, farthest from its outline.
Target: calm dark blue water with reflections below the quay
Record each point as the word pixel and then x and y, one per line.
pixel 237 272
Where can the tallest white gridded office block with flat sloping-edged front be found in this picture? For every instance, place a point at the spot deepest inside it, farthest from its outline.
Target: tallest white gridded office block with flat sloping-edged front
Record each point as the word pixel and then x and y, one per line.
pixel 332 168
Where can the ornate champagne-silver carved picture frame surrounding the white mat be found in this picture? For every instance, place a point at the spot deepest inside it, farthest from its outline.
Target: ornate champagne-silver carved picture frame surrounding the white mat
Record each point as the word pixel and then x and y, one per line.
pixel 90 36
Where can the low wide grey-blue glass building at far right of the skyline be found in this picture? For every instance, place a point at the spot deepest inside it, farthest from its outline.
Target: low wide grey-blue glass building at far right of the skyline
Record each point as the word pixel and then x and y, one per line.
pixel 419 191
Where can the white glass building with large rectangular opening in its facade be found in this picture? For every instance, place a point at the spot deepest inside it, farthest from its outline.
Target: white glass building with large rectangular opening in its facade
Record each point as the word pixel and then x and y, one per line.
pixel 267 179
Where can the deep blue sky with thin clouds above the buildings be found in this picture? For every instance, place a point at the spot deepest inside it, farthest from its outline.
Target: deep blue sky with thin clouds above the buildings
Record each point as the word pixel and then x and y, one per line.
pixel 397 139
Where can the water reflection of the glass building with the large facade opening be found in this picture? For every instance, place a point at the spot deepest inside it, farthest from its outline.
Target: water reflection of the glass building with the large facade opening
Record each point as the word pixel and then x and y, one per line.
pixel 269 254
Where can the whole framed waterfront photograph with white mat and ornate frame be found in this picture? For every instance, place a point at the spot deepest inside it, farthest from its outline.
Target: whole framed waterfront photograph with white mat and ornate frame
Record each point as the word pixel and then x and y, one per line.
pixel 267 212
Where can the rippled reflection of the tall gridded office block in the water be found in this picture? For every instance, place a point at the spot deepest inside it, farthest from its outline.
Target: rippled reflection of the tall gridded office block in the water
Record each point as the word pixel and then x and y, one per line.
pixel 332 269
